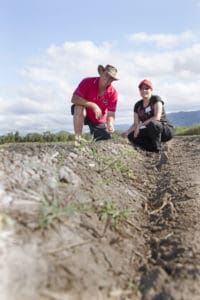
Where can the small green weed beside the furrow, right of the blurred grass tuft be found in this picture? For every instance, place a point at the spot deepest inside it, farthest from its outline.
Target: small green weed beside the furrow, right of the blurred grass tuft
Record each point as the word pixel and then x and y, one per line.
pixel 109 211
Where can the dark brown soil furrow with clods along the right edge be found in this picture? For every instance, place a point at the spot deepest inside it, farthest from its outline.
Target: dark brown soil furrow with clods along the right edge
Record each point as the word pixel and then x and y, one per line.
pixel 174 267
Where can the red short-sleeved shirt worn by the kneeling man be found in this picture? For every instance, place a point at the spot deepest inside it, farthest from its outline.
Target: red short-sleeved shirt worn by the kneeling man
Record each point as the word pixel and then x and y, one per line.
pixel 88 89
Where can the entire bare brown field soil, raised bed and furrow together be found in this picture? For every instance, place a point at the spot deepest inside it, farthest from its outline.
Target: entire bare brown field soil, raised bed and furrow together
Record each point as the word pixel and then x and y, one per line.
pixel 100 221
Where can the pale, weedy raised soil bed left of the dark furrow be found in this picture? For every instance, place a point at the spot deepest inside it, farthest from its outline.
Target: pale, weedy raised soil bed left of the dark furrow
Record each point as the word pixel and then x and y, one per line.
pixel 78 221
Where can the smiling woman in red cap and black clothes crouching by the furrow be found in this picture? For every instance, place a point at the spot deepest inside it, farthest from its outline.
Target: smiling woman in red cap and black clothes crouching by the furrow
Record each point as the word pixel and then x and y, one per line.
pixel 151 126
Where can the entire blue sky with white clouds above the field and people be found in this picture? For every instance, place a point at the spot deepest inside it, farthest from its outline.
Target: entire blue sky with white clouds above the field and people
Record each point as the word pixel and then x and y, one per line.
pixel 47 47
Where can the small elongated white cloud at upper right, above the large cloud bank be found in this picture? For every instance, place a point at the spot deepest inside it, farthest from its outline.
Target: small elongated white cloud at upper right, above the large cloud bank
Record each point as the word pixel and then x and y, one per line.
pixel 167 41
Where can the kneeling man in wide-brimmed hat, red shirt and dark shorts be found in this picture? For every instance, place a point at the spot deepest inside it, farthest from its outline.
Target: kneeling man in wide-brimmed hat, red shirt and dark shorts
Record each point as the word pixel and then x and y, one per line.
pixel 94 104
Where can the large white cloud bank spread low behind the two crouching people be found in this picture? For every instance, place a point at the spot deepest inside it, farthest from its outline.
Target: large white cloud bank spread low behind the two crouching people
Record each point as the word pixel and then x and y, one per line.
pixel 43 102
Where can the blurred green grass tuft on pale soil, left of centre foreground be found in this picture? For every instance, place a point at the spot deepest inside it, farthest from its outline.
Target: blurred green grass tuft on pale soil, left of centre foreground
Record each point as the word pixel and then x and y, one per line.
pixel 51 211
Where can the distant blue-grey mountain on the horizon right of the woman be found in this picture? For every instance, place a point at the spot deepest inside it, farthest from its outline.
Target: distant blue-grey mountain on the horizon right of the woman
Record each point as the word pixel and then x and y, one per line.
pixel 184 118
